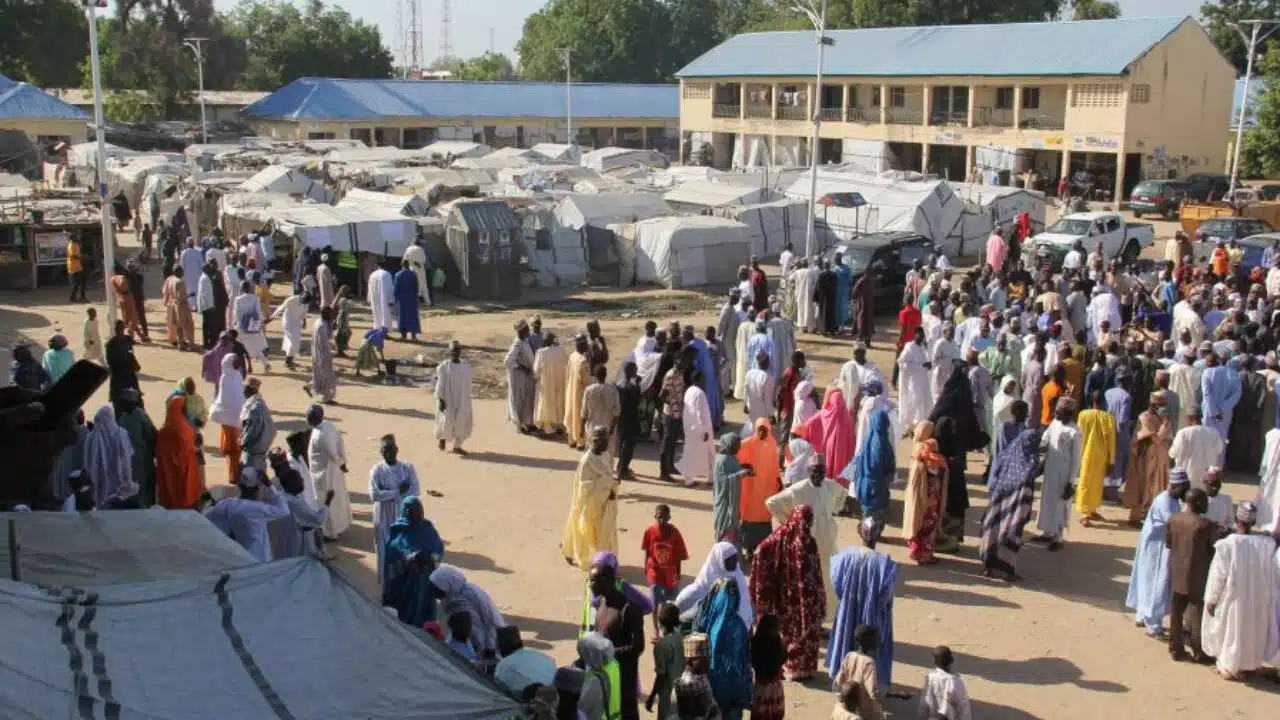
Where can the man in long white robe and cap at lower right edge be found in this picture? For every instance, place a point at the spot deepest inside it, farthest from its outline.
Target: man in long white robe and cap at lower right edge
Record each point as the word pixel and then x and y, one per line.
pixel 1240 622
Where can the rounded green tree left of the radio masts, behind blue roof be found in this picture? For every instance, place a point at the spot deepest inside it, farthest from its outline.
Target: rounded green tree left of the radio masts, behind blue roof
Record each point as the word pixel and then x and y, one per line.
pixel 285 43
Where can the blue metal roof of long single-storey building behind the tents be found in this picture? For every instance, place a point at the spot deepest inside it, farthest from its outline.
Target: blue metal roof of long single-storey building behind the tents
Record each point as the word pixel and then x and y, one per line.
pixel 326 99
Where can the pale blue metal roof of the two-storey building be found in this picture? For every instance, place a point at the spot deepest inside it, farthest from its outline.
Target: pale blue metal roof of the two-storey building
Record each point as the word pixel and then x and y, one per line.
pixel 1080 48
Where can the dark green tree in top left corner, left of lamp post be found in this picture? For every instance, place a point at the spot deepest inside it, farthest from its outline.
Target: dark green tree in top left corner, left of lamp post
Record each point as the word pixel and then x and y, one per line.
pixel 44 42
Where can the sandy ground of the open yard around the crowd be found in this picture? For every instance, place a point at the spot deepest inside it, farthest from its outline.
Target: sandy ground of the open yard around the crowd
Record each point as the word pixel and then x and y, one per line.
pixel 1058 645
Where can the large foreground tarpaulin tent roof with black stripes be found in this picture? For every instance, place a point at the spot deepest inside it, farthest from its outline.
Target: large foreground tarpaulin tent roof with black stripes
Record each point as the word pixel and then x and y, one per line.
pixel 281 640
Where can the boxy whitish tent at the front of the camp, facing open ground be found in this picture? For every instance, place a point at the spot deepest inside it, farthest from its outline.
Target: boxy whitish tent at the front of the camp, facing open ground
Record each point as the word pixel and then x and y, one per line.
pixel 687 252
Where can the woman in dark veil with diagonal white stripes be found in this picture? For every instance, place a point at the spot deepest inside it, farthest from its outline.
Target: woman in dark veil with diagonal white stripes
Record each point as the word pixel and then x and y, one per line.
pixel 1013 487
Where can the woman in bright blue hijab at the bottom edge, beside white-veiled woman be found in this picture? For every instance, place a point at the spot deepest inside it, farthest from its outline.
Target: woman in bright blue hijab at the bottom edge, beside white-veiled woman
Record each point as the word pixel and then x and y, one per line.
pixel 732 659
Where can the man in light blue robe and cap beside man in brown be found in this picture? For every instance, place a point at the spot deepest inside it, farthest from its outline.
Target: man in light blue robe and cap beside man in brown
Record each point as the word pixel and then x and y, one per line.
pixel 1149 582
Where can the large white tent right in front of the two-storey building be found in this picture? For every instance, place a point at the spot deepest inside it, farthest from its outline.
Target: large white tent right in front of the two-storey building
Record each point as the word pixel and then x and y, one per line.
pixel 929 208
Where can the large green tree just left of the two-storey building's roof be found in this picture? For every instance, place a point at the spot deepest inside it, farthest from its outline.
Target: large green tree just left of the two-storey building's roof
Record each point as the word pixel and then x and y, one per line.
pixel 611 42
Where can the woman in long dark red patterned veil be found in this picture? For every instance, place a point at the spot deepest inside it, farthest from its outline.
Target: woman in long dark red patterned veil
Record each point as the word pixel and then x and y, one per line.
pixel 787 582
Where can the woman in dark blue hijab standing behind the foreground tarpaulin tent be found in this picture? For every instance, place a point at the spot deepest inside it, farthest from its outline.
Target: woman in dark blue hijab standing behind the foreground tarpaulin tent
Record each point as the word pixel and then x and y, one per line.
pixel 413 553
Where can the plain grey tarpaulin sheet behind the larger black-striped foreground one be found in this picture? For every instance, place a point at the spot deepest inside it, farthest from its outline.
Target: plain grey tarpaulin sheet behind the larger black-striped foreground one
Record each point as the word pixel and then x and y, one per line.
pixel 122 546
